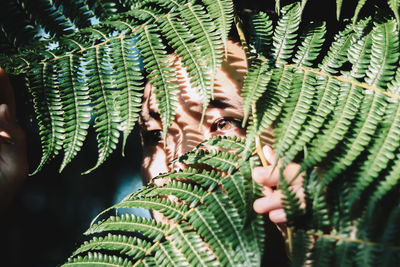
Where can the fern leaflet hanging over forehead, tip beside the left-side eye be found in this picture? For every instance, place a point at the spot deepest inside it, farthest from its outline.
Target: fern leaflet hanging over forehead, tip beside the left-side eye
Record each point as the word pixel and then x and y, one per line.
pixel 161 73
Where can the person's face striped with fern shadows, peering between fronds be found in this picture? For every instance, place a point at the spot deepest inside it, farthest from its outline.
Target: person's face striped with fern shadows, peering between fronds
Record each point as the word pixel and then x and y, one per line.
pixel 223 116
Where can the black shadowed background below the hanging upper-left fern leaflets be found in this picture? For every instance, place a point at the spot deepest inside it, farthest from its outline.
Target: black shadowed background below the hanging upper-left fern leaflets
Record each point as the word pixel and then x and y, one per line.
pixel 46 220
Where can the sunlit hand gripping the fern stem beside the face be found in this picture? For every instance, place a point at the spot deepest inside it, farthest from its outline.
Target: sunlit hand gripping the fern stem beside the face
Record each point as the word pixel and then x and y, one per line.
pixel 272 201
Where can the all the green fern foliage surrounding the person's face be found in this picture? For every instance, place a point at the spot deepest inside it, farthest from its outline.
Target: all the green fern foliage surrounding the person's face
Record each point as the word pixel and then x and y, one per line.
pixel 332 99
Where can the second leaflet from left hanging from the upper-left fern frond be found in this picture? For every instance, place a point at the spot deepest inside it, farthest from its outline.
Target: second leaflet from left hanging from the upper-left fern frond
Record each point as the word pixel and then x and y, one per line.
pixel 75 96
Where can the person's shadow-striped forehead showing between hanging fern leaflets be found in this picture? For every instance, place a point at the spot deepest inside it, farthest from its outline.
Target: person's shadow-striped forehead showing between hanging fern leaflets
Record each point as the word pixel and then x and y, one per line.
pixel 228 82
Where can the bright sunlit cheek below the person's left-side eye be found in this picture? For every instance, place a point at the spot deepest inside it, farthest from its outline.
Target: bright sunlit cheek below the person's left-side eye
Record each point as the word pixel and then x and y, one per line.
pixel 154 163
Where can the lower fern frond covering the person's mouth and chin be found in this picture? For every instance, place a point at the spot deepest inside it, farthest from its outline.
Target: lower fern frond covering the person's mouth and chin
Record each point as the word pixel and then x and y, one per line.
pixel 202 213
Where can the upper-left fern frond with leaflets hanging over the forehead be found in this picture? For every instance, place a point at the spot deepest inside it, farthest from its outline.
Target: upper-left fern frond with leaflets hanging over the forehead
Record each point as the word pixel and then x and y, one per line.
pixel 96 71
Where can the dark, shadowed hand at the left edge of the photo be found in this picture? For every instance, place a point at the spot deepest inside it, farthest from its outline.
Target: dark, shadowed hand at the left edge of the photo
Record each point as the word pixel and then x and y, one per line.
pixel 13 159
